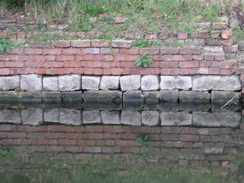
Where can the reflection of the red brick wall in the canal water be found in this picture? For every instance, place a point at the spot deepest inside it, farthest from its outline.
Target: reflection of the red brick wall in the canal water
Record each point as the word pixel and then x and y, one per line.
pixel 183 145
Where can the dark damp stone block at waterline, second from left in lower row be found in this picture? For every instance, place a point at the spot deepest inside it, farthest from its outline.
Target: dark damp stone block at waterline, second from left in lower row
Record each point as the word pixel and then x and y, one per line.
pixel 30 97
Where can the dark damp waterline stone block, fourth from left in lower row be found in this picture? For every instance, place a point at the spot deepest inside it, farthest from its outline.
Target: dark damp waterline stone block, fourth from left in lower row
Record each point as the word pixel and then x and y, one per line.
pixel 72 97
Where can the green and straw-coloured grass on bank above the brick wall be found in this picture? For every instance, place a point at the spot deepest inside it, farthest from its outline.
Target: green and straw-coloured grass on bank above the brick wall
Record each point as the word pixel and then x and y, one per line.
pixel 150 15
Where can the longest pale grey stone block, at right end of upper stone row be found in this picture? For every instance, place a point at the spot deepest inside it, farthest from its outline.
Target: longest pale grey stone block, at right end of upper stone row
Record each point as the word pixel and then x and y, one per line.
pixel 229 83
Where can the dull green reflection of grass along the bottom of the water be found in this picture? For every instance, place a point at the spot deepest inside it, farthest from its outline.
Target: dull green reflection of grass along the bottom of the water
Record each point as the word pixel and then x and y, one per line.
pixel 112 171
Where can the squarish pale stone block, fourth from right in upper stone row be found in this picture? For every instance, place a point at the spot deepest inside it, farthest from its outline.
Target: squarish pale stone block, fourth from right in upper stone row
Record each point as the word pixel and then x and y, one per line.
pixel 132 82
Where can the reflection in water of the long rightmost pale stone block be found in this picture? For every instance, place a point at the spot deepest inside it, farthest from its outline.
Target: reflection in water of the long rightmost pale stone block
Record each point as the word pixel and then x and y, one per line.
pixel 216 119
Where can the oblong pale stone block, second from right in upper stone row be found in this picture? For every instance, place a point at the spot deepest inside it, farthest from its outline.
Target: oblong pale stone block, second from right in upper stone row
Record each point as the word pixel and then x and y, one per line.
pixel 175 82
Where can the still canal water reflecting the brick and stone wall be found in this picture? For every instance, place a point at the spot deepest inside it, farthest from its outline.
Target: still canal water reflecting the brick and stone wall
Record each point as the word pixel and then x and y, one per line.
pixel 121 142
